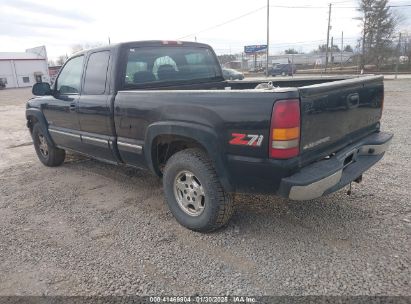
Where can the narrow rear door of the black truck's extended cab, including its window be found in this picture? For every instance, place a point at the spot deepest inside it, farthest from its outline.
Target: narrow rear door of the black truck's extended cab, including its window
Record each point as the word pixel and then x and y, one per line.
pixel 94 110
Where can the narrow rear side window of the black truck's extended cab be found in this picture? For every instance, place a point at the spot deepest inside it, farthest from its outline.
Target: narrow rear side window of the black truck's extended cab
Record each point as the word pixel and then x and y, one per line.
pixel 96 73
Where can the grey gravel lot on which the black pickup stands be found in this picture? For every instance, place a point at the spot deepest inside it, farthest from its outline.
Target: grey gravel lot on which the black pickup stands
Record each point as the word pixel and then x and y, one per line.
pixel 87 228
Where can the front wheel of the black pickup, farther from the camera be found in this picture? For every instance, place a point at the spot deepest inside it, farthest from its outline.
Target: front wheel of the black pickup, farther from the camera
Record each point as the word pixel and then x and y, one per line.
pixel 47 153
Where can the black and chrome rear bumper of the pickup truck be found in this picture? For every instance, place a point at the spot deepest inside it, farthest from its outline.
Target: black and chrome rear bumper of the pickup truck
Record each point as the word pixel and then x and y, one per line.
pixel 329 175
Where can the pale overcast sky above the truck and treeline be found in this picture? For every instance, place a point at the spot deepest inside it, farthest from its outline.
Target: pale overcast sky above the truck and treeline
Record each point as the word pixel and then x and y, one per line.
pixel 61 24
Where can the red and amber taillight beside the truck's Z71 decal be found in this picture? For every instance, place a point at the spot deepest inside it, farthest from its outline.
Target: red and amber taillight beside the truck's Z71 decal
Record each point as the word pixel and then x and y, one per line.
pixel 285 129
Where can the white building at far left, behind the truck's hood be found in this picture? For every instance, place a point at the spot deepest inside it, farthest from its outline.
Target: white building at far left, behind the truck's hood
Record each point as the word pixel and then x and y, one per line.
pixel 23 69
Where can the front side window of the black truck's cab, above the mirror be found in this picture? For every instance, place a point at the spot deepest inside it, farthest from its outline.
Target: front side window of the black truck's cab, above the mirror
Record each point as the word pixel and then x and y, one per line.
pixel 69 80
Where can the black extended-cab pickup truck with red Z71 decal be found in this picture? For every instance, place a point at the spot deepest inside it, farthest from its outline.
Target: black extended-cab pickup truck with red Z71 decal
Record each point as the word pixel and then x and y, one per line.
pixel 165 106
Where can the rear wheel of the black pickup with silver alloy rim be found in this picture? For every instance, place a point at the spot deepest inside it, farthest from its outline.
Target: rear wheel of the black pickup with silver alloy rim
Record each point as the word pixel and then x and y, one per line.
pixel 213 208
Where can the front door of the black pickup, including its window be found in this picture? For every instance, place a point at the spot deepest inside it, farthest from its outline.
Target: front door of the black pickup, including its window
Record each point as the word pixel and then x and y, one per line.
pixel 61 108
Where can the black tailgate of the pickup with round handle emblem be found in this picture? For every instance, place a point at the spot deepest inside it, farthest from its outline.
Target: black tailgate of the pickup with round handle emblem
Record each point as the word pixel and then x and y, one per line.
pixel 335 114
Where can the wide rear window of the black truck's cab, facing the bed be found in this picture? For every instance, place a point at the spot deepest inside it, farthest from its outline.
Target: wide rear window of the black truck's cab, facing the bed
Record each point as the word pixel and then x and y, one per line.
pixel 158 65
